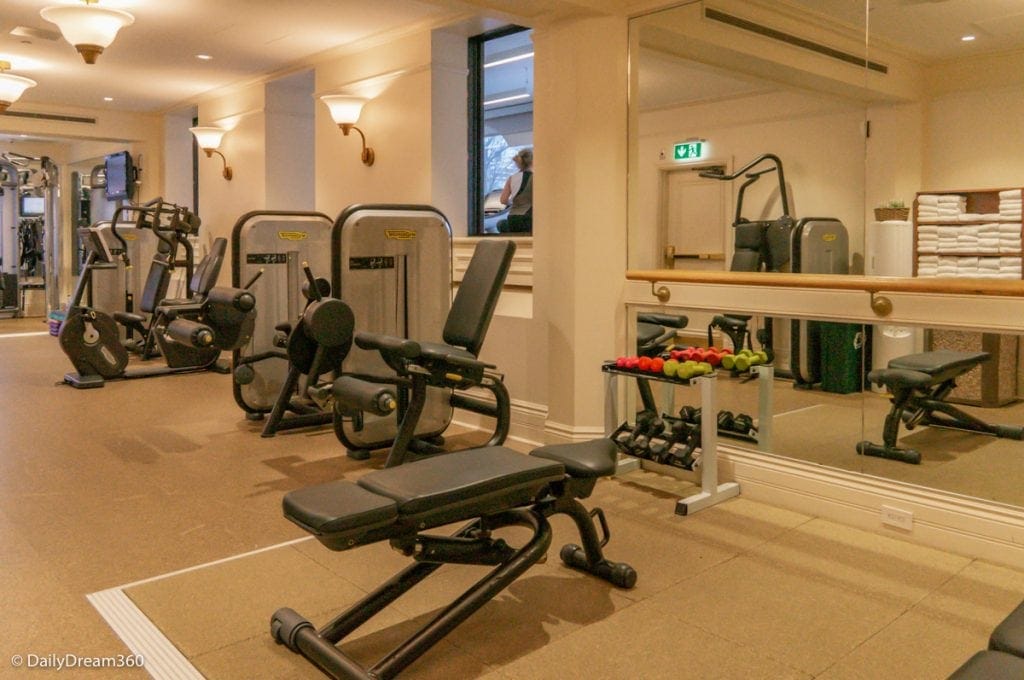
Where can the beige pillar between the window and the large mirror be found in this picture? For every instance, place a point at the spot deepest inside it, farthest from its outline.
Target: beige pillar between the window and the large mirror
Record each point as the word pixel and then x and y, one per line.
pixel 580 216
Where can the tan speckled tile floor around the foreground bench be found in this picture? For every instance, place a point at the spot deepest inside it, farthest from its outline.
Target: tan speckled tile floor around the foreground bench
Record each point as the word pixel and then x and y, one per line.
pixel 141 479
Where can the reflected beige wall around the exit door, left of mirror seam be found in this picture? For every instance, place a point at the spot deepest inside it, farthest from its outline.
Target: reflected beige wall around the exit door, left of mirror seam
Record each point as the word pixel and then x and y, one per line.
pixel 820 141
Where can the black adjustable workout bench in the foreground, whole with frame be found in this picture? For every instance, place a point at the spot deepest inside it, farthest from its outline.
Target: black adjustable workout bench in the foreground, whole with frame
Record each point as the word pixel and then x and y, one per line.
pixel 492 488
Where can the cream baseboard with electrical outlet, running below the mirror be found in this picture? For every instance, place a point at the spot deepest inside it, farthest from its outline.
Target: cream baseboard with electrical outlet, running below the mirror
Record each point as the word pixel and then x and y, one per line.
pixel 962 525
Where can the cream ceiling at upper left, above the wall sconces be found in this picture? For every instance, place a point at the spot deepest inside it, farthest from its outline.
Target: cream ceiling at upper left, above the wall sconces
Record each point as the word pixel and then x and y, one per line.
pixel 152 65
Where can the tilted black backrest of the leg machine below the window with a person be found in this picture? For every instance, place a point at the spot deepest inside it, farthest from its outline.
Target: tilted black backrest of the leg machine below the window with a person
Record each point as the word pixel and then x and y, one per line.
pixel 475 304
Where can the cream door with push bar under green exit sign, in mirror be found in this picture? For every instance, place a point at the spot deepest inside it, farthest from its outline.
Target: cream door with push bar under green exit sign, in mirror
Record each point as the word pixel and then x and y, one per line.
pixel 694 223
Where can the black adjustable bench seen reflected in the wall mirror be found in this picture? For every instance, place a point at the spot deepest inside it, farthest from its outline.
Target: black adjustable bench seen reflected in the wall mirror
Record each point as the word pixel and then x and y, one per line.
pixel 919 385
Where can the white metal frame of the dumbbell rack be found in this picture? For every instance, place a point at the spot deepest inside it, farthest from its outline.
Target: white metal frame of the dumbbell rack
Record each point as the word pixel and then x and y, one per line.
pixel 711 491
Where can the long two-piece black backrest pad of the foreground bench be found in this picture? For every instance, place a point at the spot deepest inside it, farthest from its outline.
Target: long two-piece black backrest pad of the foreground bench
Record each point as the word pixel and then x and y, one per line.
pixel 418 496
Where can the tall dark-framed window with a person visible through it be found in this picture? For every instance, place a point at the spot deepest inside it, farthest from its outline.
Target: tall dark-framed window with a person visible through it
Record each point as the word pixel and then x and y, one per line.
pixel 501 120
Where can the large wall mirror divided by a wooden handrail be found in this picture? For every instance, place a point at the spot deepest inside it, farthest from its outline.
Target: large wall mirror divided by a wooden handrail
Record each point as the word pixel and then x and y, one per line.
pixel 907 108
